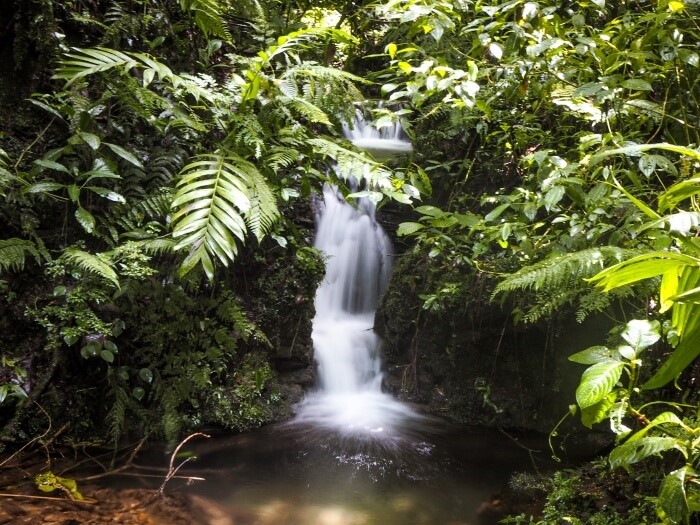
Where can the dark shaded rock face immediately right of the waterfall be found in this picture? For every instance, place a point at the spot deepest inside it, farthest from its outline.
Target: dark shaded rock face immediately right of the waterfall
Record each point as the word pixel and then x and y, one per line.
pixel 468 362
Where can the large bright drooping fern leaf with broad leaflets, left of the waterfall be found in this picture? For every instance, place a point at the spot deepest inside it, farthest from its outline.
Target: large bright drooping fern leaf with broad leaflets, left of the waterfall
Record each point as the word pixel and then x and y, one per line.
pixel 212 196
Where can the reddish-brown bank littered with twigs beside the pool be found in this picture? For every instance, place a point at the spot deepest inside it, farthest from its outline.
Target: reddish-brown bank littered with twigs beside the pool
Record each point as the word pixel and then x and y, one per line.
pixel 81 497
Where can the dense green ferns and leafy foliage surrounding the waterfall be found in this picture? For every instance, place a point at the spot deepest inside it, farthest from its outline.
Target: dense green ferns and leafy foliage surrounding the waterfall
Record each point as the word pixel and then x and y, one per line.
pixel 154 186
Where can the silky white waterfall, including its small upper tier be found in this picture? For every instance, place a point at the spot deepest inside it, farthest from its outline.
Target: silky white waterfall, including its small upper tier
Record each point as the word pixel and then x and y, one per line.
pixel 346 349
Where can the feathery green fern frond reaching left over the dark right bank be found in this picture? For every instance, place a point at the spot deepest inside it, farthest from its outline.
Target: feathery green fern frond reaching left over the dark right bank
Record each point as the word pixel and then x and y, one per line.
pixel 556 272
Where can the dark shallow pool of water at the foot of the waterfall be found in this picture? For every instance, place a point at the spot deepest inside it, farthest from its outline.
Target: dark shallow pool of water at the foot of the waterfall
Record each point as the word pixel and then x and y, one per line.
pixel 297 475
